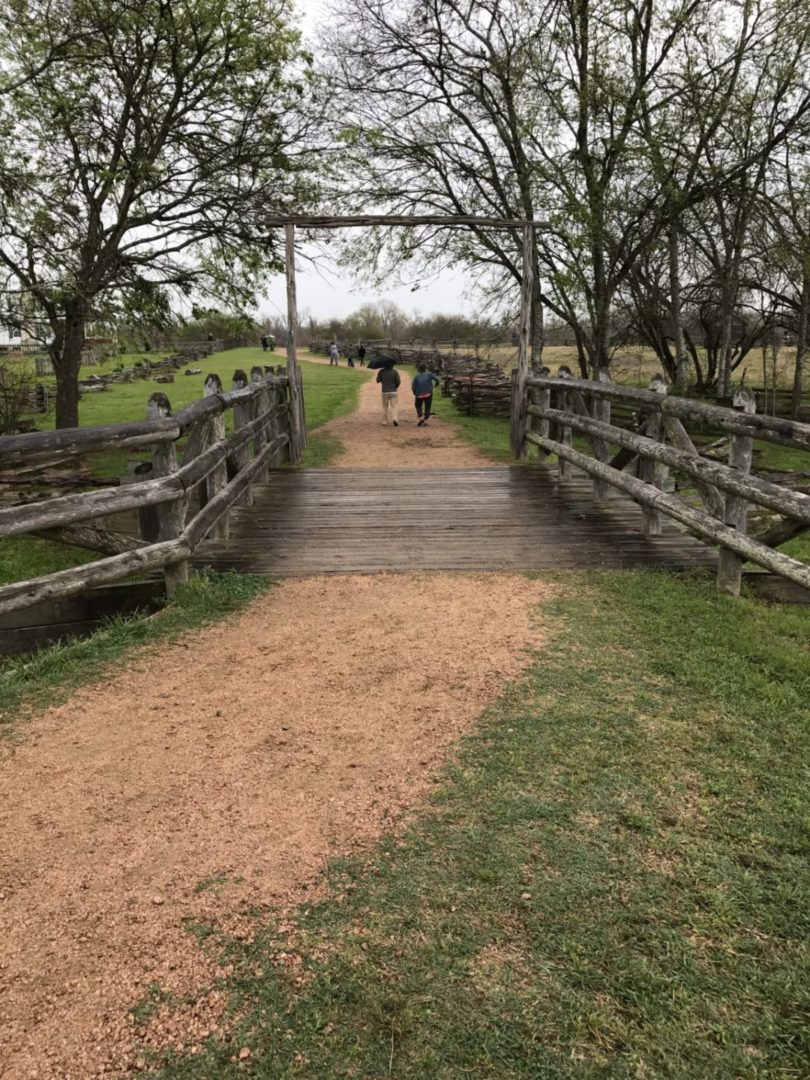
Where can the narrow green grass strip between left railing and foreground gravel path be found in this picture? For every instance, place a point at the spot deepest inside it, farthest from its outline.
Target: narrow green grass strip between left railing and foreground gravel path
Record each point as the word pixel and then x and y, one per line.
pixel 30 683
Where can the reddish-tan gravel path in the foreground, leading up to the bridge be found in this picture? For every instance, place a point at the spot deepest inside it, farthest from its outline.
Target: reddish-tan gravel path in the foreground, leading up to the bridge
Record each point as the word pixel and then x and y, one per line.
pixel 221 773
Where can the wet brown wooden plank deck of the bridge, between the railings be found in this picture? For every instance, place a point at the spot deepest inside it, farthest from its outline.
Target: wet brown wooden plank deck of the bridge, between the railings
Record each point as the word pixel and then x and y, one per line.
pixel 504 518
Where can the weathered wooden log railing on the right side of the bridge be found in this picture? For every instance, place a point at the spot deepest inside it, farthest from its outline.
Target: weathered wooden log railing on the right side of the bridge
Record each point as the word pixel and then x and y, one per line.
pixel 551 409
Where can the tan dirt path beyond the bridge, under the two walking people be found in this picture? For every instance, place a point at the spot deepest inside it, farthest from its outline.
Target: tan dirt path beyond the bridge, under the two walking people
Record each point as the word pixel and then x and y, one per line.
pixel 368 444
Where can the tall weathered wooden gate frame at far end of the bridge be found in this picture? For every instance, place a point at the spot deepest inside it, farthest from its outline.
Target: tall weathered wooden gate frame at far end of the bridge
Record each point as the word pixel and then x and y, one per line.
pixel 519 416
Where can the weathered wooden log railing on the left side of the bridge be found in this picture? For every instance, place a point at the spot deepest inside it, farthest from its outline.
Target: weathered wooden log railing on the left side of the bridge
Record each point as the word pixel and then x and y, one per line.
pixel 179 505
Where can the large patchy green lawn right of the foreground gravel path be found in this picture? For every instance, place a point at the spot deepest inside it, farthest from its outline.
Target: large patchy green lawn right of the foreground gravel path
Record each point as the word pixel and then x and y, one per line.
pixel 612 881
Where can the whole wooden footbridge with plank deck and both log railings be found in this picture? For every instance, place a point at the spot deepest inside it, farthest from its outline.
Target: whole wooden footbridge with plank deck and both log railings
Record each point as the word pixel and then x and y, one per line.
pixel 606 502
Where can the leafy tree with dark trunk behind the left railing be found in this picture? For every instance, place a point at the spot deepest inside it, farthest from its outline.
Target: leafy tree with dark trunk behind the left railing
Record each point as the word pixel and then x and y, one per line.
pixel 147 163
